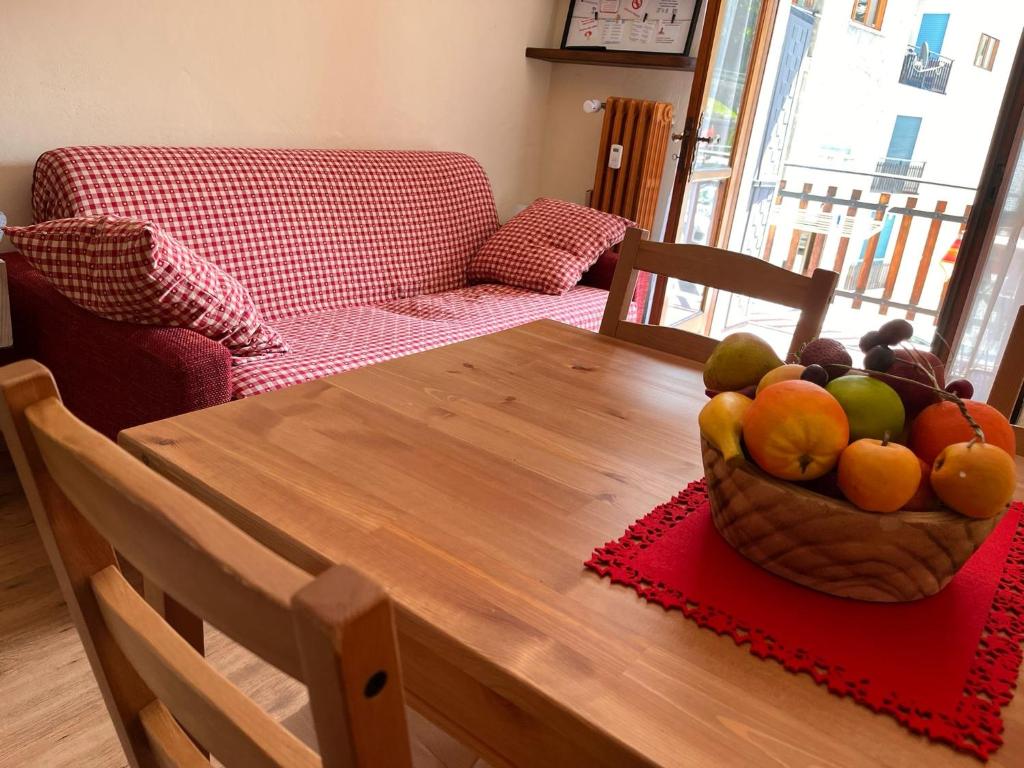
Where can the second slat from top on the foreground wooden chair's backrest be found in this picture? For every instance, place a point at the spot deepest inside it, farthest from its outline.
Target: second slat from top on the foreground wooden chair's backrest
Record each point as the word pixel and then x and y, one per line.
pixel 221 716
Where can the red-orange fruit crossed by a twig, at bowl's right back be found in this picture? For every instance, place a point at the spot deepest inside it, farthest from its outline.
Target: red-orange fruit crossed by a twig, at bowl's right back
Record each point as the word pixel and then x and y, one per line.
pixel 944 424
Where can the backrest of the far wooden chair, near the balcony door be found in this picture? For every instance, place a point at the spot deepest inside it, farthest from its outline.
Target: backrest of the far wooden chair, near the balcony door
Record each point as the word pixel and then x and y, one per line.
pixel 716 269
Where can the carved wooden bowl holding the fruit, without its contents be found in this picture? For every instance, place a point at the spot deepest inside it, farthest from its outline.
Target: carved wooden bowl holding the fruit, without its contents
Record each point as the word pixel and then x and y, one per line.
pixel 830 545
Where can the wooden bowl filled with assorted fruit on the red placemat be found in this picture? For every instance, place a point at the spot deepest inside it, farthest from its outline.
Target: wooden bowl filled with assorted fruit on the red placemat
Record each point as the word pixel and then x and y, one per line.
pixel 801 478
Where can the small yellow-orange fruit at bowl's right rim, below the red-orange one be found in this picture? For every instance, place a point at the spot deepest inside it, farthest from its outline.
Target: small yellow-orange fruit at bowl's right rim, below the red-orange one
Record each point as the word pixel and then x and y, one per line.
pixel 977 480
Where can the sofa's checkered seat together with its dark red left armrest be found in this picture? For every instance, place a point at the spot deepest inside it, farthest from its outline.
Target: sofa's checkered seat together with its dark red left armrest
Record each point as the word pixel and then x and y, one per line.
pixel 117 375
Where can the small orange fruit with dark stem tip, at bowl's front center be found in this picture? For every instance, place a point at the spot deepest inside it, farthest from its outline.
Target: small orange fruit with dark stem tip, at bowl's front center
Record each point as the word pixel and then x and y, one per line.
pixel 879 477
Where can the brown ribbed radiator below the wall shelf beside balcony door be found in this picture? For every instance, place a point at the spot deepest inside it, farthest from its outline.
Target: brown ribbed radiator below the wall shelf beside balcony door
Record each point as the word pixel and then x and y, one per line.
pixel 644 130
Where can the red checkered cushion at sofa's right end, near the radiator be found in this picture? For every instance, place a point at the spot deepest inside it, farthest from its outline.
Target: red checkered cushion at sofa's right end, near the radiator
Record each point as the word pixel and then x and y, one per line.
pixel 547 247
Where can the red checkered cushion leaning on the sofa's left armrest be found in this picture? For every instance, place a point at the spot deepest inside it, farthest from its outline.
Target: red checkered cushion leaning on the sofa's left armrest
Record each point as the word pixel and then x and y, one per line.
pixel 131 271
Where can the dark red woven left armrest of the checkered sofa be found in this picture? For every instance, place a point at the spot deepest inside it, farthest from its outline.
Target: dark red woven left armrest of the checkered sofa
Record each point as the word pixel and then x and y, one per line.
pixel 113 375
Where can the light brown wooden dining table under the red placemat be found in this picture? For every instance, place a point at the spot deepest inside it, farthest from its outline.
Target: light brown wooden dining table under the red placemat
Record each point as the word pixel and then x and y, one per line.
pixel 474 481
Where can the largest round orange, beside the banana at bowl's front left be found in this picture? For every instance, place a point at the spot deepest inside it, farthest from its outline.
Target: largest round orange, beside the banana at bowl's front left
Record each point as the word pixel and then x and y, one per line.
pixel 796 431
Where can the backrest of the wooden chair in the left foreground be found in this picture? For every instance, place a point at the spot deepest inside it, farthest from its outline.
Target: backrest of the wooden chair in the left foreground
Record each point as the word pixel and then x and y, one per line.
pixel 336 632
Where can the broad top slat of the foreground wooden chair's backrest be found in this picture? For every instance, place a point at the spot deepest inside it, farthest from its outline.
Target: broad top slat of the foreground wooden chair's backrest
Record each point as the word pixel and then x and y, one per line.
pixel 220 574
